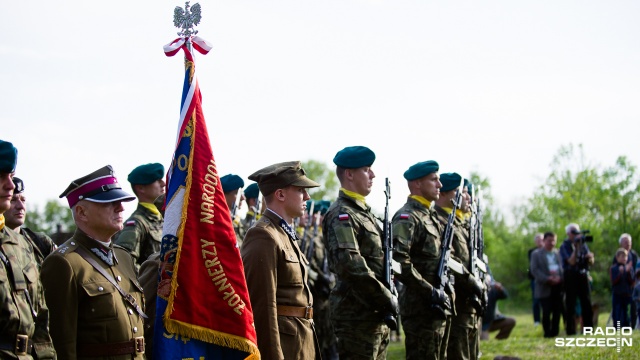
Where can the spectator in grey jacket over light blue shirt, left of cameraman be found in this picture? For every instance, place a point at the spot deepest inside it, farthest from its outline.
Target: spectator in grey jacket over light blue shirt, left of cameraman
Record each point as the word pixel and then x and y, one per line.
pixel 546 269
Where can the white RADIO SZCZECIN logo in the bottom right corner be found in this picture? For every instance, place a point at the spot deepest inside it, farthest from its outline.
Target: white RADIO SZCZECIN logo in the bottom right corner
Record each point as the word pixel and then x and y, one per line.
pixel 608 337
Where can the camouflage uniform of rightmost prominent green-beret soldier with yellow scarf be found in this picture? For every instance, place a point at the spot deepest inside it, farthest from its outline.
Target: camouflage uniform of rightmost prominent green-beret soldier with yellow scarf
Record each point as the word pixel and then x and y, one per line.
pixel 463 340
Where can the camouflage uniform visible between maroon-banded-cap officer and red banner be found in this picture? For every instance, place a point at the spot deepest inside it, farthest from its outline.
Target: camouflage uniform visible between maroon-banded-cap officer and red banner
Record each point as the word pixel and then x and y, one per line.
pixel 141 235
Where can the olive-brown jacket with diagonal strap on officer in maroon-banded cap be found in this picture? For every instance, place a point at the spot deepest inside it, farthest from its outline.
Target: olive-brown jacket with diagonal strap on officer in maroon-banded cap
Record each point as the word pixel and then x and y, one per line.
pixel 90 318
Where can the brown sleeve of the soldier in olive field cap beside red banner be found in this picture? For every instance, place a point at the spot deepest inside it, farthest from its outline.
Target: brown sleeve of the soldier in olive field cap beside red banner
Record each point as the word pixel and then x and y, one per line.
pixel 260 258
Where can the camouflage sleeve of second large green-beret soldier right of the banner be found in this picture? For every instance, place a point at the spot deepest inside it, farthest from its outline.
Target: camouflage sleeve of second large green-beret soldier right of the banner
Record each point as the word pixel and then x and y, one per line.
pixel 403 239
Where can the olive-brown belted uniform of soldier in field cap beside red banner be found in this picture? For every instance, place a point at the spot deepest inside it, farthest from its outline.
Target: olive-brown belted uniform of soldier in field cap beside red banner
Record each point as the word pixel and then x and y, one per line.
pixel 276 275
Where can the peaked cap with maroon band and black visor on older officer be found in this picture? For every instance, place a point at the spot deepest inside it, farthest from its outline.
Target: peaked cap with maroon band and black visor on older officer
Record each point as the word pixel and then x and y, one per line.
pixel 100 186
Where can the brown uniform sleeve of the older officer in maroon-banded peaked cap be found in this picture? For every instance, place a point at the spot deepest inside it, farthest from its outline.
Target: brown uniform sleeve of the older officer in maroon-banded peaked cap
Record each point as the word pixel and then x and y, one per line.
pixel 61 295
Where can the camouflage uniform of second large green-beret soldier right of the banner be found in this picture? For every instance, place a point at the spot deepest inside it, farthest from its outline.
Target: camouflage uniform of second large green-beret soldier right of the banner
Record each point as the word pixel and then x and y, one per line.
pixel 417 241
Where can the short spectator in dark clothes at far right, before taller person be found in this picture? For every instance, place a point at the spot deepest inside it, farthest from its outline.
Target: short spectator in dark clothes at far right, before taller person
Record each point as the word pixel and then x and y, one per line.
pixel 621 288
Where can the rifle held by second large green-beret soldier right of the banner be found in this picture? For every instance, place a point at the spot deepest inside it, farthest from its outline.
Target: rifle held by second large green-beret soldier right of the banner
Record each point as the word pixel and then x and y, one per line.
pixel 444 272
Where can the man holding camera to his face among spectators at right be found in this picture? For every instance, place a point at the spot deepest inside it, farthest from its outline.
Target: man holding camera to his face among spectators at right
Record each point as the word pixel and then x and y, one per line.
pixel 576 259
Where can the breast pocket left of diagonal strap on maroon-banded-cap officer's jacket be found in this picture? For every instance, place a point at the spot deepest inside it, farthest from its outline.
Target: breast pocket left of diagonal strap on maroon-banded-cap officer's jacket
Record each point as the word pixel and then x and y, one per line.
pixel 101 301
